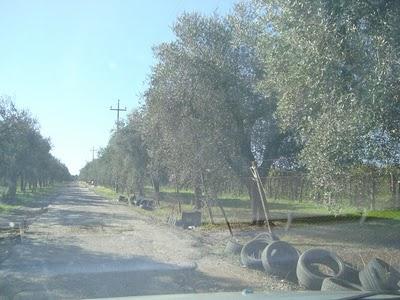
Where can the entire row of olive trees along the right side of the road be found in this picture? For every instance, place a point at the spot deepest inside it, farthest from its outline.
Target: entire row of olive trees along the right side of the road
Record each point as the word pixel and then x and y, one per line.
pixel 299 86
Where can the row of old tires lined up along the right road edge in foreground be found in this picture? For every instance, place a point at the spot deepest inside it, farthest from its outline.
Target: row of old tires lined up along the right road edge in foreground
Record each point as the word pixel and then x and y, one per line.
pixel 316 269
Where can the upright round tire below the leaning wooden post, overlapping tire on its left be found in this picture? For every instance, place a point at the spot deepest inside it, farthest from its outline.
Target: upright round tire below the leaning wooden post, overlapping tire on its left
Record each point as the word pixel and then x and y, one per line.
pixel 280 259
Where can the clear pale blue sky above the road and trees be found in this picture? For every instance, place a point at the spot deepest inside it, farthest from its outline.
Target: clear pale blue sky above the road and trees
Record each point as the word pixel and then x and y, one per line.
pixel 69 61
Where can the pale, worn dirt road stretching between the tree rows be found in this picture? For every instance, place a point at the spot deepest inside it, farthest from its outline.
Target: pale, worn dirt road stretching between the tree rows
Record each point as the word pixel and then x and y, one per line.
pixel 85 246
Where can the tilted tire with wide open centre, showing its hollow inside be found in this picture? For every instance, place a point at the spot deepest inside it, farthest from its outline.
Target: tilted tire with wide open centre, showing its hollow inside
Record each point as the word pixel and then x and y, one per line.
pixel 310 277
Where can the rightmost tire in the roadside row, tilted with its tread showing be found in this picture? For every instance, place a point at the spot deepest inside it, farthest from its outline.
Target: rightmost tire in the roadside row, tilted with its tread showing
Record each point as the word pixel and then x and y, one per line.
pixel 379 276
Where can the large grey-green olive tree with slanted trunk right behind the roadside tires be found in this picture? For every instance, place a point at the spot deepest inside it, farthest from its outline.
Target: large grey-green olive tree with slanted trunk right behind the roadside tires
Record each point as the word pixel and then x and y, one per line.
pixel 203 93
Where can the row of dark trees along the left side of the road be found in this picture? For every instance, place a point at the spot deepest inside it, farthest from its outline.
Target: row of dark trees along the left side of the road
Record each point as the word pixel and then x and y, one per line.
pixel 25 158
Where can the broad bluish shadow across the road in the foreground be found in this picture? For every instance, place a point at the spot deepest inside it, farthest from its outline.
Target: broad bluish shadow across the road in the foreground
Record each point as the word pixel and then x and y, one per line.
pixel 61 271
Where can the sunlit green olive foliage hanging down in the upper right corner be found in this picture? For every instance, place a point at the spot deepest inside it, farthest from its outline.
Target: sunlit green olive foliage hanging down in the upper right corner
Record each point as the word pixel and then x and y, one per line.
pixel 334 65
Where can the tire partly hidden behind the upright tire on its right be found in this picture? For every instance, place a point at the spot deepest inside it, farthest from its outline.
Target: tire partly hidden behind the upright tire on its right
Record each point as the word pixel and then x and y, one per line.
pixel 250 256
